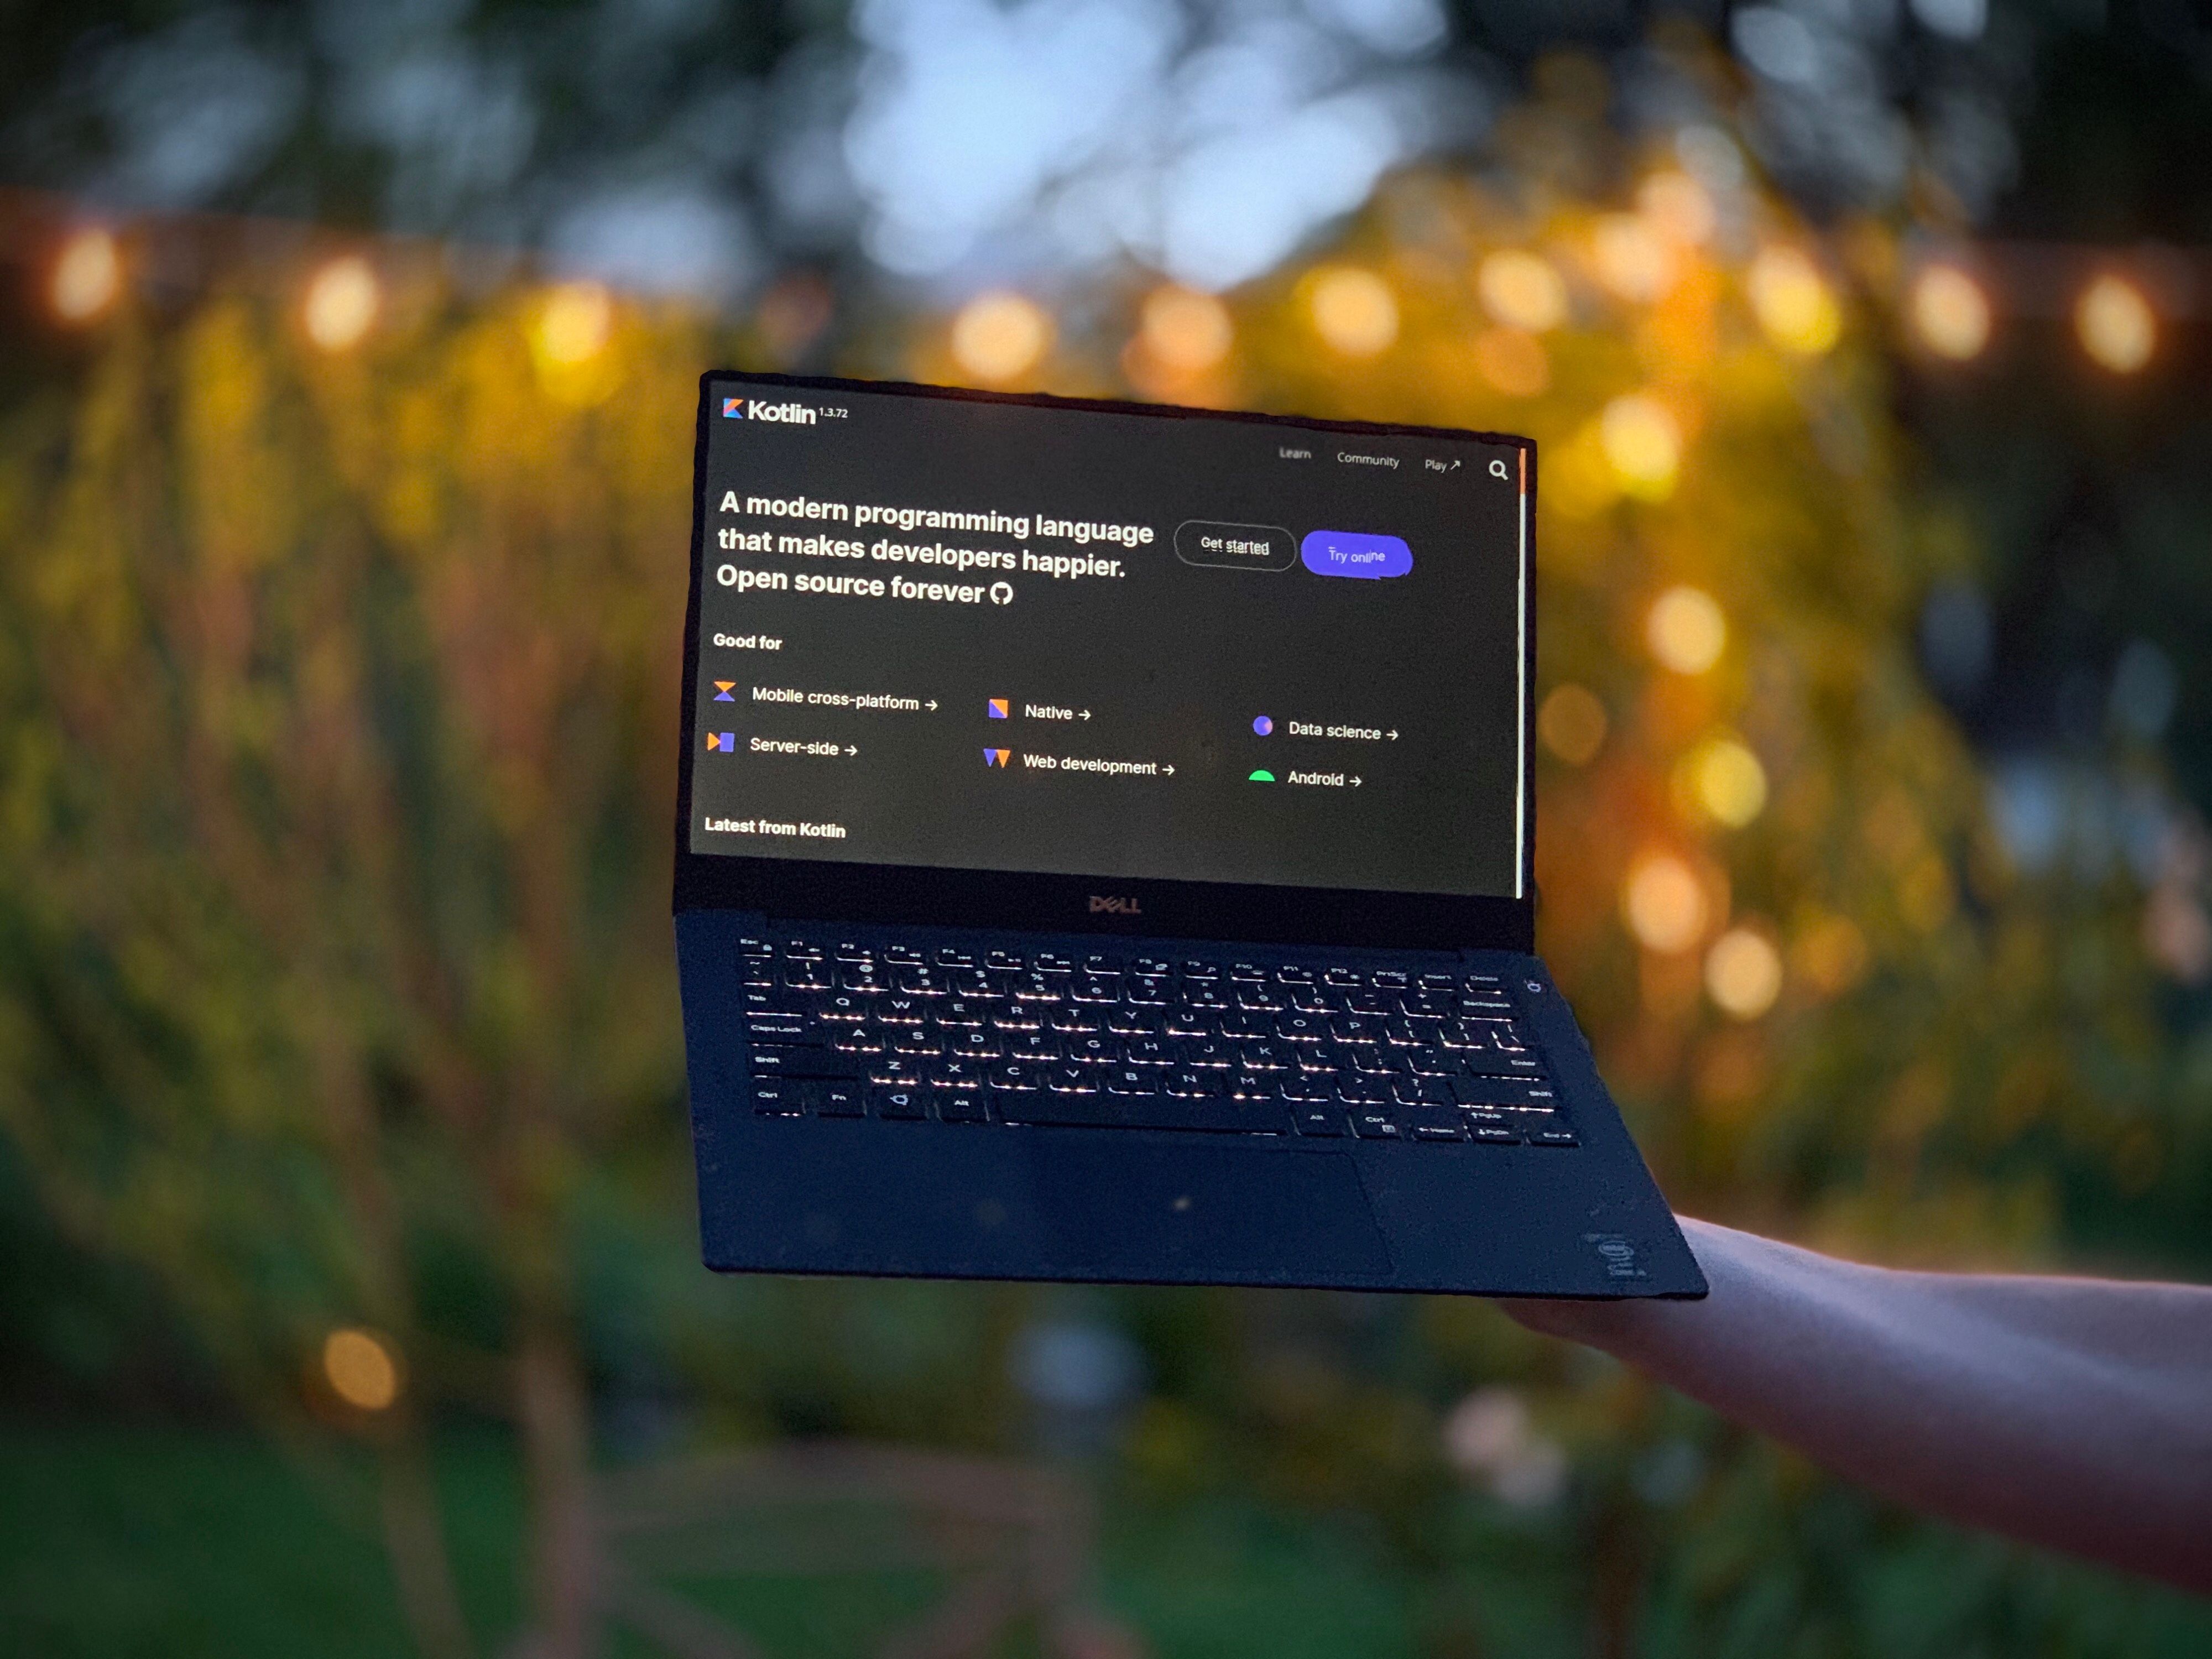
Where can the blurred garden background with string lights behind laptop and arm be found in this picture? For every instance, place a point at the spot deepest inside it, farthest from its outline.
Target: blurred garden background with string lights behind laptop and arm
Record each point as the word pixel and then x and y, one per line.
pixel 348 1266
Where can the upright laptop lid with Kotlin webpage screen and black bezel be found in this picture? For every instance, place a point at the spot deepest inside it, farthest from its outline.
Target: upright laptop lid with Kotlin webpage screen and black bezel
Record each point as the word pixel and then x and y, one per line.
pixel 988 660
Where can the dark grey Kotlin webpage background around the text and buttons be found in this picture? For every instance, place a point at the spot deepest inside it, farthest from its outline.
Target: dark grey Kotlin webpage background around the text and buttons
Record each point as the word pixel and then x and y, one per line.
pixel 1171 660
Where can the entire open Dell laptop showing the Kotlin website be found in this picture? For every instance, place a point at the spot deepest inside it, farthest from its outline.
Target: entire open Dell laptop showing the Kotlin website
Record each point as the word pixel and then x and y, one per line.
pixel 1105 855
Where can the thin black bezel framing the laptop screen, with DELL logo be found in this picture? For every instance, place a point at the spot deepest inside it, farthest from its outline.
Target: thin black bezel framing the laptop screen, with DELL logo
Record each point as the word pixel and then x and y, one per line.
pixel 1200 910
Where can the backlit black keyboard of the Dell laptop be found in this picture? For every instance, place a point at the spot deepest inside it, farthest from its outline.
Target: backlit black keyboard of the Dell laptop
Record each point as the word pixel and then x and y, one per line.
pixel 1105 1041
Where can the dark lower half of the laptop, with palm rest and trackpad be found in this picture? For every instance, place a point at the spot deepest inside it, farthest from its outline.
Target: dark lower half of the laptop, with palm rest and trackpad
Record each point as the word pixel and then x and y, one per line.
pixel 811 1176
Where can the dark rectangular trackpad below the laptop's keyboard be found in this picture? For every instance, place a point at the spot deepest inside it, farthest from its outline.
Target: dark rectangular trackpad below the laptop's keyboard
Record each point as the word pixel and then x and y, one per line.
pixel 1202 1209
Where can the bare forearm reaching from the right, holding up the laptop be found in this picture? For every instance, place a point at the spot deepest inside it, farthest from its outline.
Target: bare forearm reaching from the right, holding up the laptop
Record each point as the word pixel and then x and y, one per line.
pixel 2072 1415
